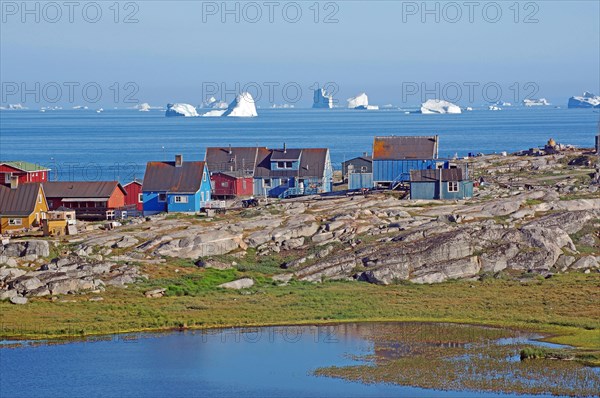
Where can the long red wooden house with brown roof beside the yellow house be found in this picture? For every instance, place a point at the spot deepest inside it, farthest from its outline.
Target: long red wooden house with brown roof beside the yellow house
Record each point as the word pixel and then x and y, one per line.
pixel 94 200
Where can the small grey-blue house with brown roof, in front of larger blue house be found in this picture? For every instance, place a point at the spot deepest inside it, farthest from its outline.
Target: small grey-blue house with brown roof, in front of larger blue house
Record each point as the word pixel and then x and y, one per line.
pixel 440 184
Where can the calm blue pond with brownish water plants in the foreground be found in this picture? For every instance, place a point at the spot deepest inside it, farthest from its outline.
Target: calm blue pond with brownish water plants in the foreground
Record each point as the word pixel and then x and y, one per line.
pixel 347 360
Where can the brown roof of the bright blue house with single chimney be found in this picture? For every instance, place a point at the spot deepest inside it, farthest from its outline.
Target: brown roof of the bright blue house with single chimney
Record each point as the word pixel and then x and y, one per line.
pixel 164 176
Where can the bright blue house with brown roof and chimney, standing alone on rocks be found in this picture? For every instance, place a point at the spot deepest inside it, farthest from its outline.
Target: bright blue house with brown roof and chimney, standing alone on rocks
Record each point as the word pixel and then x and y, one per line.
pixel 175 187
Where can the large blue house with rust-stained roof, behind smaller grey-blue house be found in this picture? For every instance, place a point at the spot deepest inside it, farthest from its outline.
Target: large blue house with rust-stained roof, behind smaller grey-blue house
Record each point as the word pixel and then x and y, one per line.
pixel 395 156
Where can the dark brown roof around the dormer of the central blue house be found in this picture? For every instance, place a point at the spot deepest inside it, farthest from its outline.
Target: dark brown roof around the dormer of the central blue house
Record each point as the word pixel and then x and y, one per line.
pixel 312 164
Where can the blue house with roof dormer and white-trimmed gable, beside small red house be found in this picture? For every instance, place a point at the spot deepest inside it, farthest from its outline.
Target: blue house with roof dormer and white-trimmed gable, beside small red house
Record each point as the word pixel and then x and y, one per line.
pixel 287 172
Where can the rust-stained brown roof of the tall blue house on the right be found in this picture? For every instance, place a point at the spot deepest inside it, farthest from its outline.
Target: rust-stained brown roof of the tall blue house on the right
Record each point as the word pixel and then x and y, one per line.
pixel 405 147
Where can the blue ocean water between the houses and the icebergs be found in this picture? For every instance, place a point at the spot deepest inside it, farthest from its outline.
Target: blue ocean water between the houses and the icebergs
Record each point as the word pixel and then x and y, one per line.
pixel 116 144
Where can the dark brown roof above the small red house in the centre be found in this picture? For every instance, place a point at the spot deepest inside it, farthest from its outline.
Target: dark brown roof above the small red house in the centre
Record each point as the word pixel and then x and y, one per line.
pixel 232 159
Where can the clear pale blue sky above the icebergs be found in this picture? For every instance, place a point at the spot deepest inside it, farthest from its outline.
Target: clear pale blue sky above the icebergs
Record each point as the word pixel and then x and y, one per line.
pixel 108 53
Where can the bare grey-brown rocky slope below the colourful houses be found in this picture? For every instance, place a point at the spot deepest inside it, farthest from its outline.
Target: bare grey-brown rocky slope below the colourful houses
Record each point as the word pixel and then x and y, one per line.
pixel 531 216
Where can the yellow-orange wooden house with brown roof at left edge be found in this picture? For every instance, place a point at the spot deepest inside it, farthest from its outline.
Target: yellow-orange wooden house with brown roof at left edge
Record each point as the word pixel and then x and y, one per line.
pixel 22 206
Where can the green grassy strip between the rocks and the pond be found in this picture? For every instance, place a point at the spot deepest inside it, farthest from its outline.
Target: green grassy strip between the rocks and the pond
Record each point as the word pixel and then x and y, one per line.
pixel 565 306
